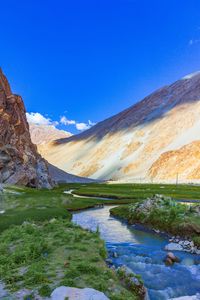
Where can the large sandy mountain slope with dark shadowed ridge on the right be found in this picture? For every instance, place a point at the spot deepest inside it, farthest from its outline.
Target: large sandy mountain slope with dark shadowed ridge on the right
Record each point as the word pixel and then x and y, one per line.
pixel 157 139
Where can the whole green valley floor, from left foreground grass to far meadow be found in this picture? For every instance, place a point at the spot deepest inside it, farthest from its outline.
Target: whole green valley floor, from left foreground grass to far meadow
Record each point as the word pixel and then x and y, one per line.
pixel 40 248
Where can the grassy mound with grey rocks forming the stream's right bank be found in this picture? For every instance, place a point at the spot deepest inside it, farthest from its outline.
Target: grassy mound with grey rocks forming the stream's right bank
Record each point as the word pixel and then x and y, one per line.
pixel 163 215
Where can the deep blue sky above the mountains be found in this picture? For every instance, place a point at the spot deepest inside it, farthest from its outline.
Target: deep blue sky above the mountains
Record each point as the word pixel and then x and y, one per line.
pixel 87 60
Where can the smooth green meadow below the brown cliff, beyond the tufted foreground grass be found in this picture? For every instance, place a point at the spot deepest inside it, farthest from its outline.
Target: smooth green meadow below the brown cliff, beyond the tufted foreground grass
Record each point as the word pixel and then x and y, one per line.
pixel 32 204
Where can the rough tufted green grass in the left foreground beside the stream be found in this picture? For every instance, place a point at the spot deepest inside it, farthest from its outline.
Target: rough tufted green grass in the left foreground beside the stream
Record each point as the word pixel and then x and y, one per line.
pixel 44 255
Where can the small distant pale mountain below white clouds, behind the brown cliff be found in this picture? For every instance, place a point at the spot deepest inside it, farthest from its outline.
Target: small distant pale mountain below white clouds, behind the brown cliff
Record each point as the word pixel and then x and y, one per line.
pixel 42 134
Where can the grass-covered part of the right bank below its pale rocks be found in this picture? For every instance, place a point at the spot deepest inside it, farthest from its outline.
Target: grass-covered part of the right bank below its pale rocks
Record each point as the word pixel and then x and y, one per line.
pixel 171 217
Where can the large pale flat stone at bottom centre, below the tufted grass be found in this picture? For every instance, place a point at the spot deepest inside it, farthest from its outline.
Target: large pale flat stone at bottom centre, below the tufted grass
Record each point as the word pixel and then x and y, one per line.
pixel 63 292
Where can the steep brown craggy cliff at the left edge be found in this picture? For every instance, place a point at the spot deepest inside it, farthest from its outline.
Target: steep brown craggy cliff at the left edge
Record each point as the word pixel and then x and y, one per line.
pixel 20 162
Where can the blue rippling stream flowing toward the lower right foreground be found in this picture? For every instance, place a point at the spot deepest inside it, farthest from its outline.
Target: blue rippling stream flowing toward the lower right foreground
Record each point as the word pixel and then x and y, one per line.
pixel 143 253
